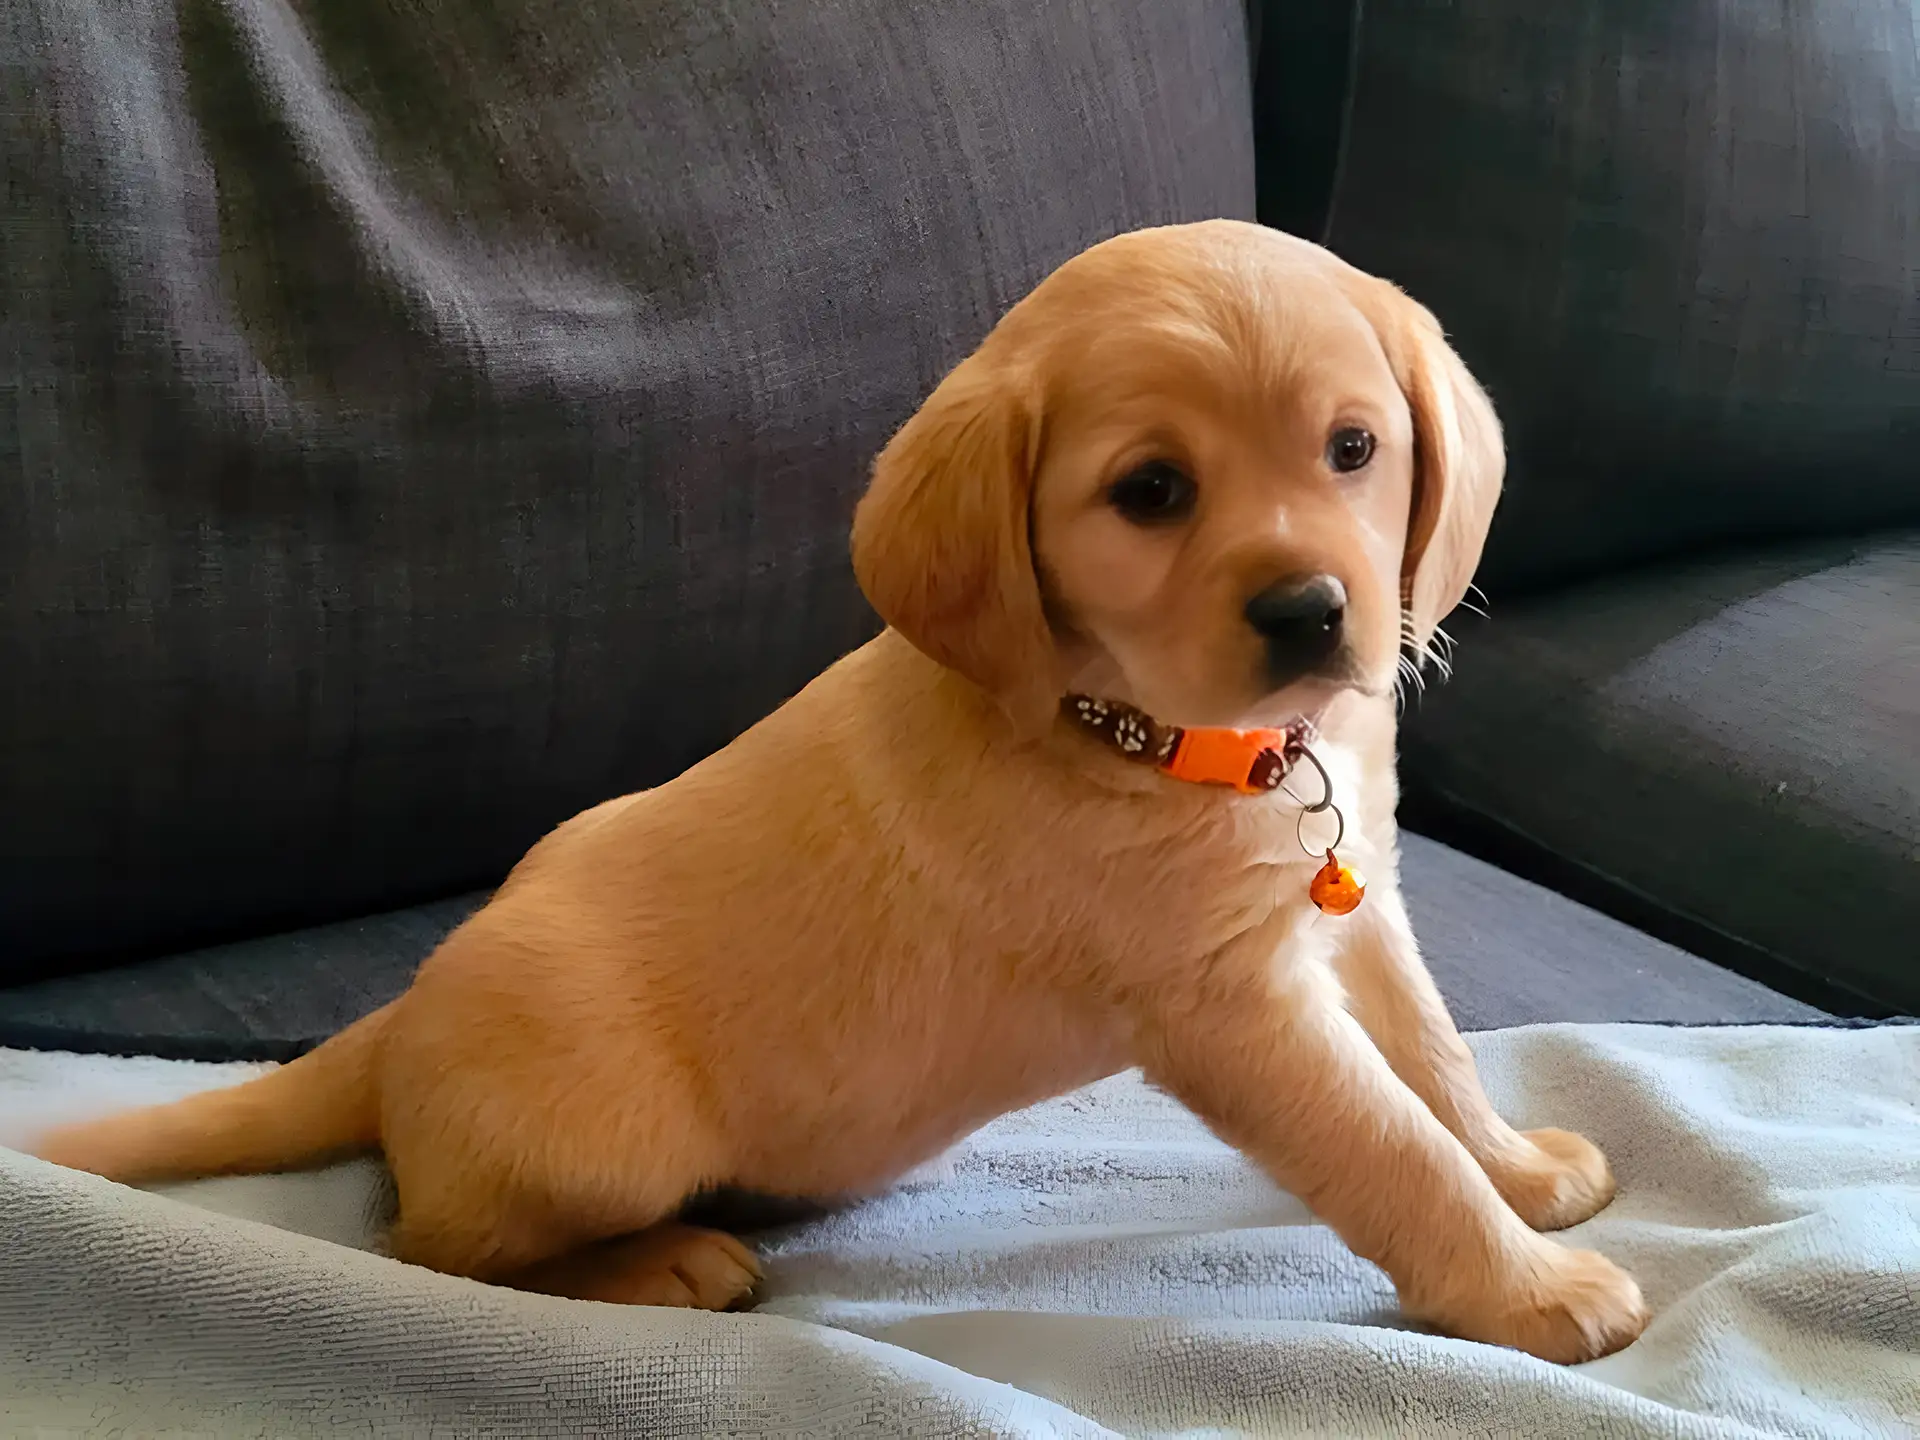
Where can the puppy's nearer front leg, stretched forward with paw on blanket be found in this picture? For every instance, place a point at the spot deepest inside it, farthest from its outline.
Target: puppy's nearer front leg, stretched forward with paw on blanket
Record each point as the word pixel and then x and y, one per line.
pixel 1295 1084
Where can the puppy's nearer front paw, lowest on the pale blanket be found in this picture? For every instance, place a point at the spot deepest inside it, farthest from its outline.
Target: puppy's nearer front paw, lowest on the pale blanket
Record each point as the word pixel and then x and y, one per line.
pixel 1568 1308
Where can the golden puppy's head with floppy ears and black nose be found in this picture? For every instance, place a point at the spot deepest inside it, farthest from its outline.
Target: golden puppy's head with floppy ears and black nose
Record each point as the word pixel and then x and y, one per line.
pixel 1211 471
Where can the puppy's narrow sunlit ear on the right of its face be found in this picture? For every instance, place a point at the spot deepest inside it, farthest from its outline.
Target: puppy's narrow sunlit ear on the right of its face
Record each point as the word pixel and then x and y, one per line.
pixel 1458 468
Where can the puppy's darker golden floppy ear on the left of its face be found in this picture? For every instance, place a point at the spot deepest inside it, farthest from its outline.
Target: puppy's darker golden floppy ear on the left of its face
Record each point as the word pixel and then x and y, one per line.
pixel 942 540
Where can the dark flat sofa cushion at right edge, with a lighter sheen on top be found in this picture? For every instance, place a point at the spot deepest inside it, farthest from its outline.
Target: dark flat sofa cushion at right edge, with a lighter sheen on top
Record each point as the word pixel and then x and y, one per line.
pixel 1737 744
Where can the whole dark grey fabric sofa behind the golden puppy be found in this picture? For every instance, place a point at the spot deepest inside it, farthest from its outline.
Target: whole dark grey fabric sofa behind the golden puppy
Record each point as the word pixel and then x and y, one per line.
pixel 431 423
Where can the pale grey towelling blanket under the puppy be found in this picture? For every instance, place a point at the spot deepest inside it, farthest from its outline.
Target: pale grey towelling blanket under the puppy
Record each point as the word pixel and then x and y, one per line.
pixel 1093 1266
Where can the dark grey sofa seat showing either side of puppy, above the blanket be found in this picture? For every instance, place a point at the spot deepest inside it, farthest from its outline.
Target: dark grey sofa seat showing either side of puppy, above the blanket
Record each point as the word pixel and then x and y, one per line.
pixel 1506 953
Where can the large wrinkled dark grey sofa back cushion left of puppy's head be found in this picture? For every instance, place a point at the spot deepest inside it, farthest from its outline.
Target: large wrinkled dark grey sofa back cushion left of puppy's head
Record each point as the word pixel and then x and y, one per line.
pixel 425 420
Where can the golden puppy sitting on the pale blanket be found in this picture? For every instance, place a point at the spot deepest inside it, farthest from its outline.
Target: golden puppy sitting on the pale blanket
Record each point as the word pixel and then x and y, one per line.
pixel 1209 473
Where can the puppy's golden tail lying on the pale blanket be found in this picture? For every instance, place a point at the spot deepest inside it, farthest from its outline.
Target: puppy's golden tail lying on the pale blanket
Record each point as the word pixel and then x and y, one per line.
pixel 320 1107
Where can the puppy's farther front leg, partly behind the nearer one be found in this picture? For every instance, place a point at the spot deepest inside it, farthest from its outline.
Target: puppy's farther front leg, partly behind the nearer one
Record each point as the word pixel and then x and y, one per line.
pixel 1550 1178
